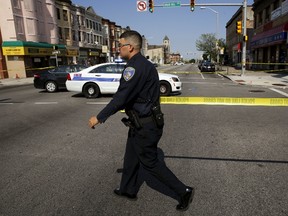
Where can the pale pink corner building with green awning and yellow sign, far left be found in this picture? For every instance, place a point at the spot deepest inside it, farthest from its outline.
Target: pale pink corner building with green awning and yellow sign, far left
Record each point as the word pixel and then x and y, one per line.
pixel 29 34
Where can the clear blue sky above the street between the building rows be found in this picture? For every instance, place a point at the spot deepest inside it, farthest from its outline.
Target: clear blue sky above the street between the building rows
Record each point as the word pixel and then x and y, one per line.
pixel 179 24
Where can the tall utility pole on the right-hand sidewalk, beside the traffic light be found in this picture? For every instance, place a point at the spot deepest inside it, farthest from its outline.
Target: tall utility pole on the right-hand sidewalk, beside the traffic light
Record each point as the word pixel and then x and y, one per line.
pixel 244 12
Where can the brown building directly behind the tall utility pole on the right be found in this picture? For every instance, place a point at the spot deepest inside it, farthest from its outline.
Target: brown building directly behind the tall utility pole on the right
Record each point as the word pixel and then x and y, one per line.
pixel 234 40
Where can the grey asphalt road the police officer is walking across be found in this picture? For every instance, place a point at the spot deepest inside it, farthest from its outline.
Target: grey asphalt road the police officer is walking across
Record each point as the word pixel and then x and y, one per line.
pixel 51 163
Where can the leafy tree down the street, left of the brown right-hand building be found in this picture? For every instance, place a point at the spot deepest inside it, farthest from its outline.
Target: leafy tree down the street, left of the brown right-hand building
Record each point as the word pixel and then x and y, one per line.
pixel 207 44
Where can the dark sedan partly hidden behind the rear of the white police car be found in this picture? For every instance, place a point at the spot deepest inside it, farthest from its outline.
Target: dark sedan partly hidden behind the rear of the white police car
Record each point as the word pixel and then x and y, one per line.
pixel 54 79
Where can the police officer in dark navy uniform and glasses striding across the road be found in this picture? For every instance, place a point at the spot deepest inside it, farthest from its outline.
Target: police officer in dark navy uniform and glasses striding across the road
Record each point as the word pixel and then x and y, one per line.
pixel 138 94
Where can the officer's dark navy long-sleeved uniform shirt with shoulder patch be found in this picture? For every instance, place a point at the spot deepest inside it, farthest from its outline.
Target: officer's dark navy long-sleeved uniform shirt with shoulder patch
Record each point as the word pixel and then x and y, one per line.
pixel 139 82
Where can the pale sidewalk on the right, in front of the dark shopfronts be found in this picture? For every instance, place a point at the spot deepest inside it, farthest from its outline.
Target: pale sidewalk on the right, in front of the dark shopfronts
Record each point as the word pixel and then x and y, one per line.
pixel 256 78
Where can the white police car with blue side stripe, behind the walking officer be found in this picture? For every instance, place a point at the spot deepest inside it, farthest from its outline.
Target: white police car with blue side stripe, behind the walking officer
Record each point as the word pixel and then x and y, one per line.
pixel 104 79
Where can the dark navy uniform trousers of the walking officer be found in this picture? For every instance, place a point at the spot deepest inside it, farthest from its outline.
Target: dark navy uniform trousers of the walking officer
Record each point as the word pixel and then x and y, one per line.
pixel 141 150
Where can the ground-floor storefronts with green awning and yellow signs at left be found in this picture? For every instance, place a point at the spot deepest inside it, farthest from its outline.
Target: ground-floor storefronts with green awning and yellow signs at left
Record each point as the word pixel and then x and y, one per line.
pixel 24 58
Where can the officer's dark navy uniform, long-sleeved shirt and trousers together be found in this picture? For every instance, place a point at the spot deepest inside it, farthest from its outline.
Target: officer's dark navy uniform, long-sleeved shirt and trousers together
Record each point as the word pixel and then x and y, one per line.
pixel 139 90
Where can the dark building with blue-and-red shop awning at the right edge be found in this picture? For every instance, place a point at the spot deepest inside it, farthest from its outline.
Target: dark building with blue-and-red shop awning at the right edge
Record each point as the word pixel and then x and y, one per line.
pixel 269 42
